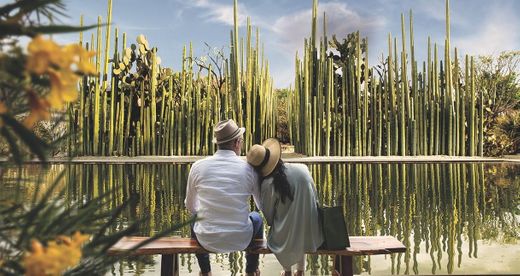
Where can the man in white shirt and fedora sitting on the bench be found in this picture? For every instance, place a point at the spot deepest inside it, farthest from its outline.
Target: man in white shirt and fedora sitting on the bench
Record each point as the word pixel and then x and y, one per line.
pixel 218 191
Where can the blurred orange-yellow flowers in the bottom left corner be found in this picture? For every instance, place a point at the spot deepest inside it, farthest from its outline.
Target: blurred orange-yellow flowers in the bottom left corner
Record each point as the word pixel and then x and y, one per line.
pixel 57 257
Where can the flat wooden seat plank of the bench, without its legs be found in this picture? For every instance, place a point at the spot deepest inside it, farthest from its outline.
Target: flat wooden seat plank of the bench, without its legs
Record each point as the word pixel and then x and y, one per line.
pixel 359 245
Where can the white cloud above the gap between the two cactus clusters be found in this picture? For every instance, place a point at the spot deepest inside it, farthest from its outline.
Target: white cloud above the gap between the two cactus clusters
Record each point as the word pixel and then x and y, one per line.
pixel 341 20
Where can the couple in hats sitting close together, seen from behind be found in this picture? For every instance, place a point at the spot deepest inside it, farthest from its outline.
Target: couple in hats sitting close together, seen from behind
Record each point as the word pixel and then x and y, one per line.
pixel 219 189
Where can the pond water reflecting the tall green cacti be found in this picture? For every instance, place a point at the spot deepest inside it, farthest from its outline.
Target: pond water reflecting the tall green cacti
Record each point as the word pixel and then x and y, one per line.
pixel 443 209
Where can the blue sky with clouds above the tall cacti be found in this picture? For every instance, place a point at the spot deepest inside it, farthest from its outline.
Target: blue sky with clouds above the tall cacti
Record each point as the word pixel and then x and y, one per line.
pixel 478 26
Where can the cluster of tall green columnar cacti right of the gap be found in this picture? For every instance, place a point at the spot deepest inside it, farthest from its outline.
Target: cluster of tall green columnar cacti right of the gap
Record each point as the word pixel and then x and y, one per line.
pixel 402 108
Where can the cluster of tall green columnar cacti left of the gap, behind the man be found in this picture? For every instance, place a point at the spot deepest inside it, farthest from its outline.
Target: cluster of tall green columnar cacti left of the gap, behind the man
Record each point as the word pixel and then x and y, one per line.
pixel 138 107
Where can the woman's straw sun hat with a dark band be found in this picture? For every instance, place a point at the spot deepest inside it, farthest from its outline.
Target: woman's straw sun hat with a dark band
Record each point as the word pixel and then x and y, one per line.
pixel 265 157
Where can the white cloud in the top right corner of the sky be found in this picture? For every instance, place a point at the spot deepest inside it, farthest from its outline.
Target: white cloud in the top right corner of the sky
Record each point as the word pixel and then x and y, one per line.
pixel 498 32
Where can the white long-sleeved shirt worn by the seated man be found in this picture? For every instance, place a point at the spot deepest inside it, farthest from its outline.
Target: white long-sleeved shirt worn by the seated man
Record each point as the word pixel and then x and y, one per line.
pixel 218 191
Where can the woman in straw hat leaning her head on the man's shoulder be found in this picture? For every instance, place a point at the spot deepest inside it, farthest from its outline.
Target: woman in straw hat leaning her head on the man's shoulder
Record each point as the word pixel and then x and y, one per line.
pixel 288 201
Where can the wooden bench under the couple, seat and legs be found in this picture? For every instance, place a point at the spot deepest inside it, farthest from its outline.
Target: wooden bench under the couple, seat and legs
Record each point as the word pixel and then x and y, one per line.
pixel 170 247
